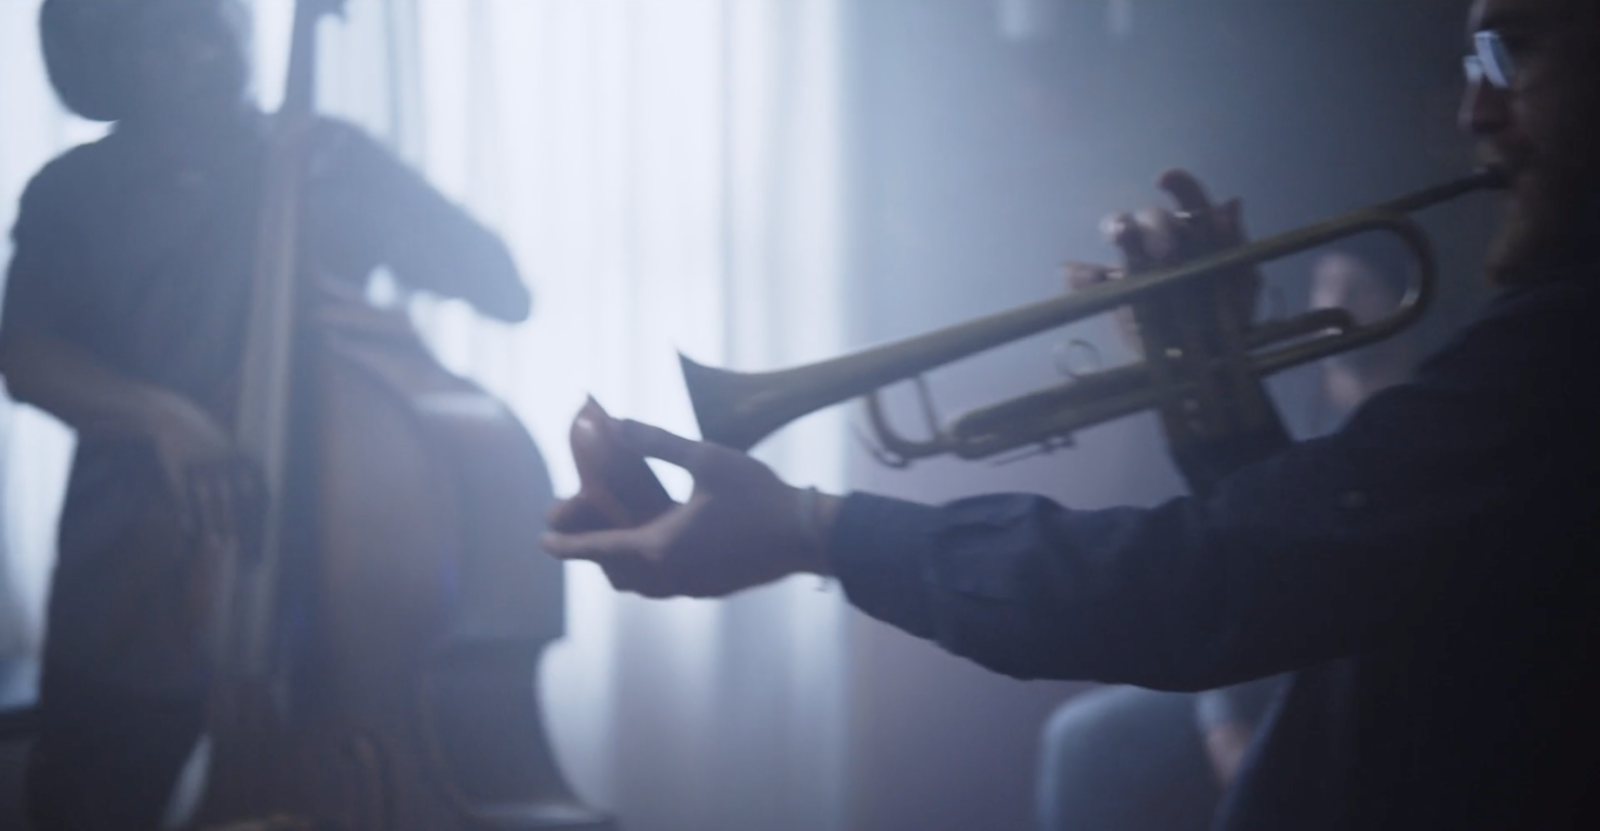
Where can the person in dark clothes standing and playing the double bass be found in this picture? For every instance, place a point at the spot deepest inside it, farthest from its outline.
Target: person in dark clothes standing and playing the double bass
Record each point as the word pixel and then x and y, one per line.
pixel 126 311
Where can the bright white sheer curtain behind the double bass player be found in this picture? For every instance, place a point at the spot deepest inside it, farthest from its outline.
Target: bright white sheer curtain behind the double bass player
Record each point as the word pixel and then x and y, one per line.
pixel 668 175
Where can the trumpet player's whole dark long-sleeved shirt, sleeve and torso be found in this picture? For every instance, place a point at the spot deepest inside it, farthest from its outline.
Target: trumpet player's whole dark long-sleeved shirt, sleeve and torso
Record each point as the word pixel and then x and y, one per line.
pixel 1428 572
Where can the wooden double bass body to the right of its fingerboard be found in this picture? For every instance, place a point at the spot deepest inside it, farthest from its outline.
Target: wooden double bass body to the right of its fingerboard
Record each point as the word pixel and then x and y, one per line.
pixel 431 604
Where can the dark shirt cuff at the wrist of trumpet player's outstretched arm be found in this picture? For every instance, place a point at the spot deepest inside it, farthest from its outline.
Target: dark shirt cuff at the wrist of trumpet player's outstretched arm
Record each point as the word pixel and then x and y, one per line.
pixel 876 550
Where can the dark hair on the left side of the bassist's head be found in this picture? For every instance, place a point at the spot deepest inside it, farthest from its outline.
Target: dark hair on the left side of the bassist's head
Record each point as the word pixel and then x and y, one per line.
pixel 87 55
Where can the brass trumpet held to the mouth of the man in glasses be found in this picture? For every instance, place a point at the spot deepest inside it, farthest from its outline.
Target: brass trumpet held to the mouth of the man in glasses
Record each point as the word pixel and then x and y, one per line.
pixel 738 411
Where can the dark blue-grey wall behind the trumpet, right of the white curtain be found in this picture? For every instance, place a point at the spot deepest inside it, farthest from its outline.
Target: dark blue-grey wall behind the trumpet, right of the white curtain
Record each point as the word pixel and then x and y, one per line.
pixel 982 164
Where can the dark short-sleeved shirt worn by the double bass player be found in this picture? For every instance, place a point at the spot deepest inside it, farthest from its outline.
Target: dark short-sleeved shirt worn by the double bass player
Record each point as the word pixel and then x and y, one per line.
pixel 145 260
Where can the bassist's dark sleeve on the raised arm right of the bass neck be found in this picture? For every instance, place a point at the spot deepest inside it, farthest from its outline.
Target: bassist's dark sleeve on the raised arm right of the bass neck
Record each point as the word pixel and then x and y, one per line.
pixel 372 209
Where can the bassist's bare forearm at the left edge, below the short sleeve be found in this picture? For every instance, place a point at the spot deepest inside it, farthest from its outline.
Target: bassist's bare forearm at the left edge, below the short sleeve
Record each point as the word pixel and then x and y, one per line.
pixel 78 388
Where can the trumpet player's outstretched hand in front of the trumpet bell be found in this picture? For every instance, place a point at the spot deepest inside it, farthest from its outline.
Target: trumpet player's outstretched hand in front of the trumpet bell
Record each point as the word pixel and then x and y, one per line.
pixel 742 528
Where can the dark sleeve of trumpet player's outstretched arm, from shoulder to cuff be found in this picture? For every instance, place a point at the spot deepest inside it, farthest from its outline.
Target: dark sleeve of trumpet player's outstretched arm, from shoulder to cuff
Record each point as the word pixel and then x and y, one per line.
pixel 1423 508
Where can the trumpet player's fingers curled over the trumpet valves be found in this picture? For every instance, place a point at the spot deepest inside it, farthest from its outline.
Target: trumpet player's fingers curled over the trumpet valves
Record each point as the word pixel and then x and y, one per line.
pixel 1164 238
